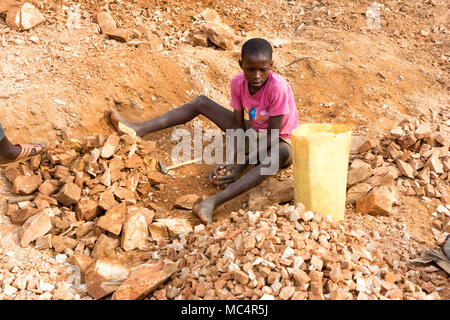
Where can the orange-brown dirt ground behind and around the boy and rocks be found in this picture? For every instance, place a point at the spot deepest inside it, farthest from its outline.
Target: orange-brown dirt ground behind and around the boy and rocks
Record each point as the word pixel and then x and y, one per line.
pixel 340 72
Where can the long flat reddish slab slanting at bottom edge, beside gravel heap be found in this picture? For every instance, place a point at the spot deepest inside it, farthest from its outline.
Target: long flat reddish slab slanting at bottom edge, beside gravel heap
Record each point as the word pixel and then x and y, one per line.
pixel 144 279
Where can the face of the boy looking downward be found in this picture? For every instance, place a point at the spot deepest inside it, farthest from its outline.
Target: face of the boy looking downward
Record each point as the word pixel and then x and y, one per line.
pixel 256 70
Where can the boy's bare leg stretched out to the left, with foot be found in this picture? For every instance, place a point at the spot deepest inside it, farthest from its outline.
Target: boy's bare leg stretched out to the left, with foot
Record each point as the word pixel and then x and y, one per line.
pixel 221 116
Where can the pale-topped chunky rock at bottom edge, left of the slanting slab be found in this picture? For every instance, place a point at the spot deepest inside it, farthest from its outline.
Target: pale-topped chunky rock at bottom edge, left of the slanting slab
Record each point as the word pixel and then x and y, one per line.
pixel 104 276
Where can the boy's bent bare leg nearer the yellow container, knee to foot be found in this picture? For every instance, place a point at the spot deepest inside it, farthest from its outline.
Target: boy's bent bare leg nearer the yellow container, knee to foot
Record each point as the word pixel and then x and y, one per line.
pixel 251 179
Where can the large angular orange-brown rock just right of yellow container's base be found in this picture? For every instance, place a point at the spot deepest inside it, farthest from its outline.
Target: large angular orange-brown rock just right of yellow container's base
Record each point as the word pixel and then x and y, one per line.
pixel 375 203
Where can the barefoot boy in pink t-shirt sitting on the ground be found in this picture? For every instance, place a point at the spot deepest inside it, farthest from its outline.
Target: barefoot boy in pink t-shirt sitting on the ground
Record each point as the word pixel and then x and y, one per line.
pixel 270 104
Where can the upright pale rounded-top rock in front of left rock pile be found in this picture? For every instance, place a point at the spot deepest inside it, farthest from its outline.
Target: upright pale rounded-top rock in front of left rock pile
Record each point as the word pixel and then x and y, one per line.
pixel 135 232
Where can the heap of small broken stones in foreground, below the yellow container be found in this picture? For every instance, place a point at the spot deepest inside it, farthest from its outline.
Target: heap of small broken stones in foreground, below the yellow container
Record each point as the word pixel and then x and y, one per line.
pixel 284 253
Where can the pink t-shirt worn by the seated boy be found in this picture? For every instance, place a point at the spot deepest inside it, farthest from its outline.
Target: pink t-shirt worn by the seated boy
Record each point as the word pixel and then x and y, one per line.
pixel 273 99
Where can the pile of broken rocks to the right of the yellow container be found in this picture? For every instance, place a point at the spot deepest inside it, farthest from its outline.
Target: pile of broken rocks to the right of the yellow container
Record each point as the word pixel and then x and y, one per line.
pixel 412 159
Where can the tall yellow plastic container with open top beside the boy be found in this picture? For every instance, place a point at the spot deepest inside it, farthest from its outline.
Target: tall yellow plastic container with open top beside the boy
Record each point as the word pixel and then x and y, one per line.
pixel 320 156
